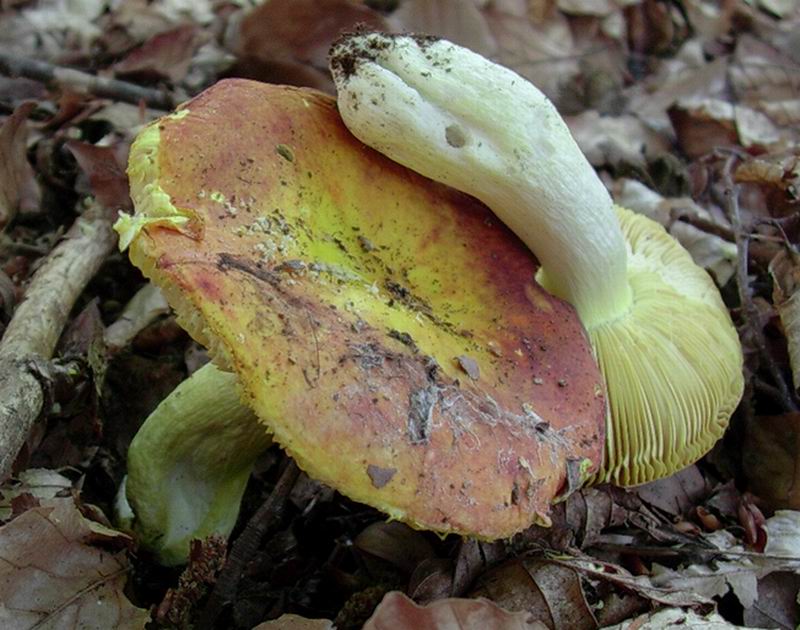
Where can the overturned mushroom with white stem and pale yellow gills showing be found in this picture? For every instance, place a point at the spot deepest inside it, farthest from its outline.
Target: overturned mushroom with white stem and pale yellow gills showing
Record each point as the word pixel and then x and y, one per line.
pixel 670 356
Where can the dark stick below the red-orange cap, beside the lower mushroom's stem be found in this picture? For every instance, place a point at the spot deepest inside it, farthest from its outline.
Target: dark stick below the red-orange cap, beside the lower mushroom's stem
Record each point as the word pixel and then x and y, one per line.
pixel 246 546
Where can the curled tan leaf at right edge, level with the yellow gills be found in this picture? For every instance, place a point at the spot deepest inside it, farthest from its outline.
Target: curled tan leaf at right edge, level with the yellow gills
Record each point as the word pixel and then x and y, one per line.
pixel 785 272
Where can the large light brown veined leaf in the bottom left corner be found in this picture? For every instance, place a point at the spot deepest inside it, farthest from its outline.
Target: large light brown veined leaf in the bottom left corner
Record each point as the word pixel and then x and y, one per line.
pixel 51 577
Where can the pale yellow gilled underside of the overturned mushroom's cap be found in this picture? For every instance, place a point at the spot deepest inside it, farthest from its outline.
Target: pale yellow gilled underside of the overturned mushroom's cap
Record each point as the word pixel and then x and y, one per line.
pixel 672 363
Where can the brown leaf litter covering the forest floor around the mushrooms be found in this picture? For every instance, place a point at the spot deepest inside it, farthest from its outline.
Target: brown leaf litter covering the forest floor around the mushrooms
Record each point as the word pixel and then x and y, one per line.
pixel 680 107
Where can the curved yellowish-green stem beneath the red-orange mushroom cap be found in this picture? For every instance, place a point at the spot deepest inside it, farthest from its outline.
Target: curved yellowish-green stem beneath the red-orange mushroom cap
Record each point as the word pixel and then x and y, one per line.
pixel 189 464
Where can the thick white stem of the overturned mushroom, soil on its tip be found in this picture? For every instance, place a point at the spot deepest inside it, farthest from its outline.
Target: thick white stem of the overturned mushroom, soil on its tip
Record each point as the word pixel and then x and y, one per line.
pixel 460 119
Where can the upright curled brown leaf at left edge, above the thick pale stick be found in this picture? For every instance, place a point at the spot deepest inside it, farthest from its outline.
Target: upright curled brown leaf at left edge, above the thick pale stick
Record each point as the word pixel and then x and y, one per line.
pixel 18 186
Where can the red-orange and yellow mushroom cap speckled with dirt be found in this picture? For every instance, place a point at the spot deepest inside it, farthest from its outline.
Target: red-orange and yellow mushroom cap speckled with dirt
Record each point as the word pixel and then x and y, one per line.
pixel 388 330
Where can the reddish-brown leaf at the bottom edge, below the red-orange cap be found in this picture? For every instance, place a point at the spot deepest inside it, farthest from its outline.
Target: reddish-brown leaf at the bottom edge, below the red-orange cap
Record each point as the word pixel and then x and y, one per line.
pixel 398 612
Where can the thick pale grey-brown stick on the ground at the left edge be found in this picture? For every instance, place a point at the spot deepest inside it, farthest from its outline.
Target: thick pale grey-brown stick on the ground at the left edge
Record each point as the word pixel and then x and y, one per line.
pixel 36 326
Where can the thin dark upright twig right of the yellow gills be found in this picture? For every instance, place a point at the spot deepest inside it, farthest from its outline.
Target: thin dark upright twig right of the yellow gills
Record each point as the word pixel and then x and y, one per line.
pixel 749 309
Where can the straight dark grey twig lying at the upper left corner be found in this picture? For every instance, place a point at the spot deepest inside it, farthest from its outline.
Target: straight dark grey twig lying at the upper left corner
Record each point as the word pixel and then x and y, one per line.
pixel 76 79
